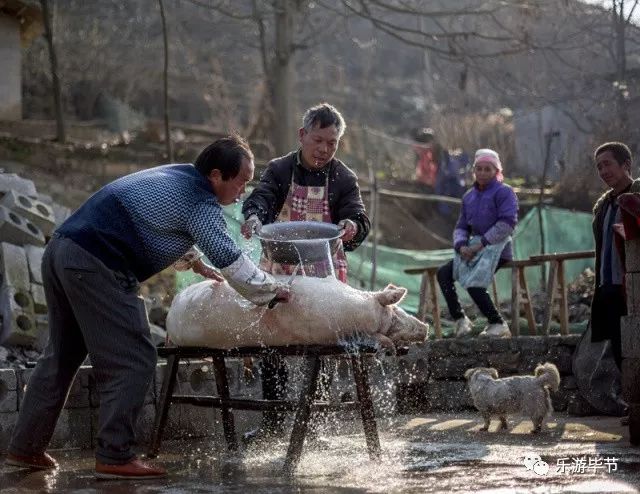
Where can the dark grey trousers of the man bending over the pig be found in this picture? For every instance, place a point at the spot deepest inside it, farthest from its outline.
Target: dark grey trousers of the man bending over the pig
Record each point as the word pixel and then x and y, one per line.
pixel 96 311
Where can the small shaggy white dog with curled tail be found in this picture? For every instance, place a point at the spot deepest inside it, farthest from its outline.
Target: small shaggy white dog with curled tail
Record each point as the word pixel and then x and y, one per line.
pixel 528 395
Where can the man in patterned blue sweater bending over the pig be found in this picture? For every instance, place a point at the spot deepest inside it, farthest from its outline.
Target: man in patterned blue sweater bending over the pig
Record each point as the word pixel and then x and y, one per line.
pixel 129 230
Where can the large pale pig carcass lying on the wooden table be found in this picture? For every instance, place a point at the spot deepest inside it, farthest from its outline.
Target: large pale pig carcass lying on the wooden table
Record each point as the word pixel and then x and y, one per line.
pixel 321 311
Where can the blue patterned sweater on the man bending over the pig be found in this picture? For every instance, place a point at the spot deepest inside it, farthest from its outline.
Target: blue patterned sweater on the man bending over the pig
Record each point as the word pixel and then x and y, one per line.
pixel 144 222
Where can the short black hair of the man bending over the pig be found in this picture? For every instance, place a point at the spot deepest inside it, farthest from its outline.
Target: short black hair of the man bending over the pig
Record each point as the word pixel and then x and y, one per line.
pixel 224 154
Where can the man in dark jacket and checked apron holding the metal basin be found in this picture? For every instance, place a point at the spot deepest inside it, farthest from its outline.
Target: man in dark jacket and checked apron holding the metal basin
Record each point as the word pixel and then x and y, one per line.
pixel 308 184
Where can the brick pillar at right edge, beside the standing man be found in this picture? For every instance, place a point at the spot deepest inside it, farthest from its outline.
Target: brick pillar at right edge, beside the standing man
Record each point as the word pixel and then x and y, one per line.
pixel 630 329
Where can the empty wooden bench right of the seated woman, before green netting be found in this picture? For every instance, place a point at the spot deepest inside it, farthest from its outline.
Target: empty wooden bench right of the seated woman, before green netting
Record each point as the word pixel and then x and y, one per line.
pixel 557 287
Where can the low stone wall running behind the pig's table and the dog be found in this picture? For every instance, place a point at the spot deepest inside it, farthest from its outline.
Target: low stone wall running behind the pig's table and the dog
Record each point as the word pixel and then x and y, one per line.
pixel 428 378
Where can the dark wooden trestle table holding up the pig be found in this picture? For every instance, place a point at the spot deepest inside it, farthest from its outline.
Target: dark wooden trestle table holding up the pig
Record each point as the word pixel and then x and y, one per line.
pixel 303 406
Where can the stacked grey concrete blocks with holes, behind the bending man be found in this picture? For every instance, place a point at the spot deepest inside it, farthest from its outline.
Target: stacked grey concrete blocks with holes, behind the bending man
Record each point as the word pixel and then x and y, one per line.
pixel 27 219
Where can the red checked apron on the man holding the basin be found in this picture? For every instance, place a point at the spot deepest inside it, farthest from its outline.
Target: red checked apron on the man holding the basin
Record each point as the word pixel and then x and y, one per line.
pixel 309 204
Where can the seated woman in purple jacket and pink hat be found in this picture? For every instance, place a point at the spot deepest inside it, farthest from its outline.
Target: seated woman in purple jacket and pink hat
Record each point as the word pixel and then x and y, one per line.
pixel 489 211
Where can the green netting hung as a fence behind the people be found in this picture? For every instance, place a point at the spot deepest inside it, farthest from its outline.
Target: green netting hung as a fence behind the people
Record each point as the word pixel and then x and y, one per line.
pixel 564 231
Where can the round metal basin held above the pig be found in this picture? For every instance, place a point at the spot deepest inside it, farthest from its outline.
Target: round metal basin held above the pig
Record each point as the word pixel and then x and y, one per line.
pixel 289 242
